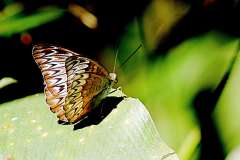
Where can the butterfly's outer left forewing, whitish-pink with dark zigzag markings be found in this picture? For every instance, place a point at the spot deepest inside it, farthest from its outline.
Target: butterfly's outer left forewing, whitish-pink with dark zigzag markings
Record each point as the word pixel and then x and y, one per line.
pixel 51 61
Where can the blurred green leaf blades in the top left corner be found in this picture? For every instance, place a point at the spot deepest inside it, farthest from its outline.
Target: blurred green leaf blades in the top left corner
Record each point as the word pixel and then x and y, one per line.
pixel 12 20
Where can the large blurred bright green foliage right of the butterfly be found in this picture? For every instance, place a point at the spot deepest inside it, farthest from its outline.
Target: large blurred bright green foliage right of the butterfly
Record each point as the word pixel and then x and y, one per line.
pixel 169 84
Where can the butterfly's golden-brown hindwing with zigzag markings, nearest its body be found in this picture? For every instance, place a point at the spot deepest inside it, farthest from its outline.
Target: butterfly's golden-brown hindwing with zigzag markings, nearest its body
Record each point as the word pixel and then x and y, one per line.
pixel 85 79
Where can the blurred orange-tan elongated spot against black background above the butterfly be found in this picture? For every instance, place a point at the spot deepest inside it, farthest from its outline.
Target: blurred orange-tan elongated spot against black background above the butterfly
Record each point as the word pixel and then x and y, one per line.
pixel 87 18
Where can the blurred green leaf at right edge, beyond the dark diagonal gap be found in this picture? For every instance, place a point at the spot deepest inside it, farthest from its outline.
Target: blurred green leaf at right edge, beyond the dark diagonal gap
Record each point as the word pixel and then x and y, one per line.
pixel 227 111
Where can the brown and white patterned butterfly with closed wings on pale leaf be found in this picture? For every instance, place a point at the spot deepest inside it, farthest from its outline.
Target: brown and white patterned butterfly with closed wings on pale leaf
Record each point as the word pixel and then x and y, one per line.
pixel 74 84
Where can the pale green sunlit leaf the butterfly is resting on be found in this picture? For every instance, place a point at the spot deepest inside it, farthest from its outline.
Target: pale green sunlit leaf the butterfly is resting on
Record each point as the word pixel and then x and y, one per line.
pixel 28 130
